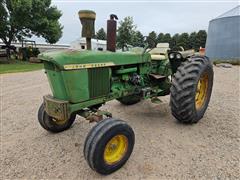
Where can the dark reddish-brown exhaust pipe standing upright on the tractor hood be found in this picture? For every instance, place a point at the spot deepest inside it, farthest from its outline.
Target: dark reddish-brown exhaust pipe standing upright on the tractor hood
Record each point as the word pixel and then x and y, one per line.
pixel 111 33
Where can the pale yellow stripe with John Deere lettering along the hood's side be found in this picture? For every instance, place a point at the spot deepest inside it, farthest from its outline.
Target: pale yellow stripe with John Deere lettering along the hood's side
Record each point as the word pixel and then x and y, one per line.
pixel 86 66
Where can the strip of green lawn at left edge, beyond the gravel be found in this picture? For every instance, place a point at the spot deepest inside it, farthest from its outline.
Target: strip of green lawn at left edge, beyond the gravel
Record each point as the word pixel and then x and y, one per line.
pixel 13 66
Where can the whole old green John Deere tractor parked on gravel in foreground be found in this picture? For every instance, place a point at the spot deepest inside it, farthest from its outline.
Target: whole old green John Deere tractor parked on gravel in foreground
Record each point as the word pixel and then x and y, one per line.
pixel 82 81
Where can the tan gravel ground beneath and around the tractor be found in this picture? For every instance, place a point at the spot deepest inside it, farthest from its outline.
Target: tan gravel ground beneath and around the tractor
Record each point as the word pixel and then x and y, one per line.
pixel 164 149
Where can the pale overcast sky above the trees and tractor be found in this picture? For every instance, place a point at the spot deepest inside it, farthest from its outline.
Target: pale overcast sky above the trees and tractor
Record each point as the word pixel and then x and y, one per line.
pixel 168 16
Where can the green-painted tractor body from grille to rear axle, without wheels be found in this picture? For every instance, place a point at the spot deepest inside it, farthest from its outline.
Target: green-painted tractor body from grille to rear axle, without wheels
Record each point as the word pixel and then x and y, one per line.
pixel 85 87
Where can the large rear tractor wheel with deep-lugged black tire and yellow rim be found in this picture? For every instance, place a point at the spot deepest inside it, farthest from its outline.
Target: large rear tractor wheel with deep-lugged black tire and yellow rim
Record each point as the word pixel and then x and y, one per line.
pixel 191 89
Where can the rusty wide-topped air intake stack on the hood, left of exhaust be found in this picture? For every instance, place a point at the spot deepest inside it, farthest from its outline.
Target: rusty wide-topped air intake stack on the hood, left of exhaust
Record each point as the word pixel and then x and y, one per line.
pixel 87 18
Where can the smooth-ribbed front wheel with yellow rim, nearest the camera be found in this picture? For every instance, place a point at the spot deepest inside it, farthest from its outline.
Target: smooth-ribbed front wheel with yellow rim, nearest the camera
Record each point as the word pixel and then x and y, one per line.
pixel 108 145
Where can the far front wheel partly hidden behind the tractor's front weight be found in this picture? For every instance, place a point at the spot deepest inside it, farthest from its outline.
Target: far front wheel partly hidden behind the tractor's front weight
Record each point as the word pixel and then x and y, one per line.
pixel 51 124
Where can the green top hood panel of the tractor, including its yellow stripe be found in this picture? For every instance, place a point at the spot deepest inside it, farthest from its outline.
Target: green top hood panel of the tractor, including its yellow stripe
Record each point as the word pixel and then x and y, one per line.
pixel 75 59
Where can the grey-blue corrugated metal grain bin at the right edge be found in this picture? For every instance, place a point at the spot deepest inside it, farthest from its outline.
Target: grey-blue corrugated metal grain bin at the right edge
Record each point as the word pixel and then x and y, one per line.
pixel 223 40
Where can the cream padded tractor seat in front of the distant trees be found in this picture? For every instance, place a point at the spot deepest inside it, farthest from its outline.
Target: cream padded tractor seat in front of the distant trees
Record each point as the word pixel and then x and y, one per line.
pixel 159 52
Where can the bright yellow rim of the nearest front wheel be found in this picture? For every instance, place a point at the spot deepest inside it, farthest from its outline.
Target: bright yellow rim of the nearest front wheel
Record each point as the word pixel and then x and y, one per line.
pixel 115 149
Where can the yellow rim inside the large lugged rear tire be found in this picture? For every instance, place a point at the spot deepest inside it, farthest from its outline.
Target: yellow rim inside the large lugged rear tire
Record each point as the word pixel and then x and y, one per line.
pixel 201 92
